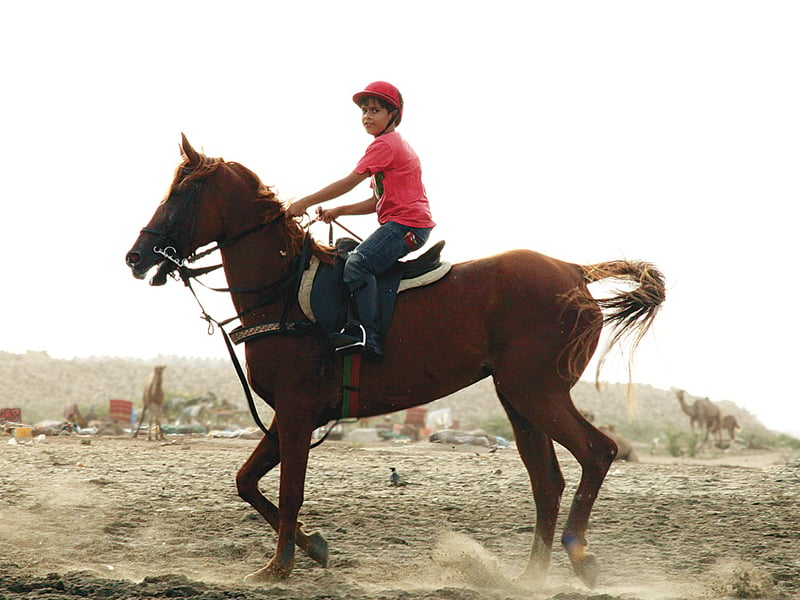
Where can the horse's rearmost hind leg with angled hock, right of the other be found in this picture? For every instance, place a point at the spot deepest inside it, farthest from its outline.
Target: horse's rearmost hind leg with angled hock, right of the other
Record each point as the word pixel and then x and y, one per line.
pixel 554 413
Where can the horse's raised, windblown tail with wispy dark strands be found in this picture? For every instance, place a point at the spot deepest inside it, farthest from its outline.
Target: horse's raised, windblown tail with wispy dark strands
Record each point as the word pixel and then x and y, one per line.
pixel 628 313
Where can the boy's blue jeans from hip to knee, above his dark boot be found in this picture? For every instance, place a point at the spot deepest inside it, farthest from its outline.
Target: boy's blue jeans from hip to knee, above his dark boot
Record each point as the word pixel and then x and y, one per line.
pixel 380 251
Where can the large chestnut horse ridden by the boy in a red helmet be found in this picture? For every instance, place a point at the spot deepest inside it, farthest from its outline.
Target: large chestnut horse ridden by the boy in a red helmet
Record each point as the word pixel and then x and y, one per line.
pixel 524 319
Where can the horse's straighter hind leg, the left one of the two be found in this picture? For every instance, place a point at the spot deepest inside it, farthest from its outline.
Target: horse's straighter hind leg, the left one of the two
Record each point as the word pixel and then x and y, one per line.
pixel 537 453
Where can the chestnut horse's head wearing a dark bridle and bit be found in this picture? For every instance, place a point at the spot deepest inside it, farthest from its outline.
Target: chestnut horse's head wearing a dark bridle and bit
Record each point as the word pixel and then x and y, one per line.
pixel 186 219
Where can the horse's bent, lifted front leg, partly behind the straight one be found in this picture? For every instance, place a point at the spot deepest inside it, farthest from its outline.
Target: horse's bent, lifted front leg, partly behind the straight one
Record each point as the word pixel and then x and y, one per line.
pixel 263 459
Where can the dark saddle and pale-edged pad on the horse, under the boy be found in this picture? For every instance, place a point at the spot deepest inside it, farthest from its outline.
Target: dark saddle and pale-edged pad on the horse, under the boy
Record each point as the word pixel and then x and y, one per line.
pixel 324 297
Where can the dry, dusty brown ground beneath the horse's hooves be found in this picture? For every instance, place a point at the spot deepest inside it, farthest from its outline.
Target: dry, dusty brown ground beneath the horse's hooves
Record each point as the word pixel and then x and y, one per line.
pixel 136 519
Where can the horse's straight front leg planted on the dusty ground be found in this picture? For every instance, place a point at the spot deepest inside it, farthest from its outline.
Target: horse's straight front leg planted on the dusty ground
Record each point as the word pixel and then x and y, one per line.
pixel 294 440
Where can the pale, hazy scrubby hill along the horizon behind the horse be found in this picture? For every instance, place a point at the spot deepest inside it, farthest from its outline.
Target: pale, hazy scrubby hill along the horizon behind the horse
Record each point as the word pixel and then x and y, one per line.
pixel 43 386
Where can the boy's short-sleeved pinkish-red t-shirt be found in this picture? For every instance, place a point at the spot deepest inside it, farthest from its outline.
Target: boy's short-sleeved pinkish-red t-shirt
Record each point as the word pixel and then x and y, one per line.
pixel 396 181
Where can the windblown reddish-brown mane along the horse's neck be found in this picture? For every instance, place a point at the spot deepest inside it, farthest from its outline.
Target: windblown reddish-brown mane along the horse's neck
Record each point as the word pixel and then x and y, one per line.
pixel 274 210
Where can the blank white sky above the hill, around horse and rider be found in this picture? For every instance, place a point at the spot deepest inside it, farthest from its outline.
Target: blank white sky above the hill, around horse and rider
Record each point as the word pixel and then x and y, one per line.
pixel 590 131
